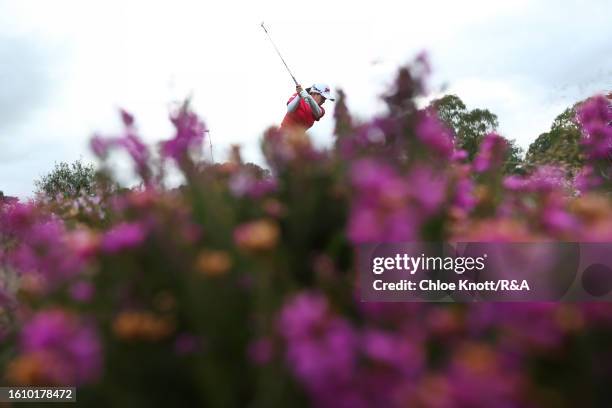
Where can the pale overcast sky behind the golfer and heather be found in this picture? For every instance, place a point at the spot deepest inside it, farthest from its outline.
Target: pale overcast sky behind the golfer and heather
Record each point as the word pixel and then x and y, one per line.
pixel 66 66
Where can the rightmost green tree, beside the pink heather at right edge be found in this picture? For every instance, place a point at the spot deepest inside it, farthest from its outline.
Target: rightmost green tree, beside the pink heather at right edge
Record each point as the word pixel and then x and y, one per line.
pixel 559 146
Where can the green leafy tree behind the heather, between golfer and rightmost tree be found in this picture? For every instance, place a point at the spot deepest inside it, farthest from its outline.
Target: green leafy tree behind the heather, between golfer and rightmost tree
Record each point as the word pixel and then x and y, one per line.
pixel 470 127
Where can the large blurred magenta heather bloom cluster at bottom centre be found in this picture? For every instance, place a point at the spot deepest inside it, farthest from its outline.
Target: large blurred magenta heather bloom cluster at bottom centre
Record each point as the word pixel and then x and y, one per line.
pixel 338 365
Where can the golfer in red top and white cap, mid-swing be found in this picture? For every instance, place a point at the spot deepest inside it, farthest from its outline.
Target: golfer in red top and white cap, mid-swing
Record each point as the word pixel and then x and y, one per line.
pixel 305 106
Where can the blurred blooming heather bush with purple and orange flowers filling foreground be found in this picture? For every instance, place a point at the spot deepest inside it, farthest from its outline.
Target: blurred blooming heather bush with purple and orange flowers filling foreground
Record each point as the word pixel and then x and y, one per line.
pixel 238 288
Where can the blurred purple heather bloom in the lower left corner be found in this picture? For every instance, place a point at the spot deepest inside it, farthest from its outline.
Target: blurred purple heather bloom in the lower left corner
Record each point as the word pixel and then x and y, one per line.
pixel 74 343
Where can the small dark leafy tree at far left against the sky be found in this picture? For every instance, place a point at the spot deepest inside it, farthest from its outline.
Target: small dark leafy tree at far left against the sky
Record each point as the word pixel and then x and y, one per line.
pixel 68 180
